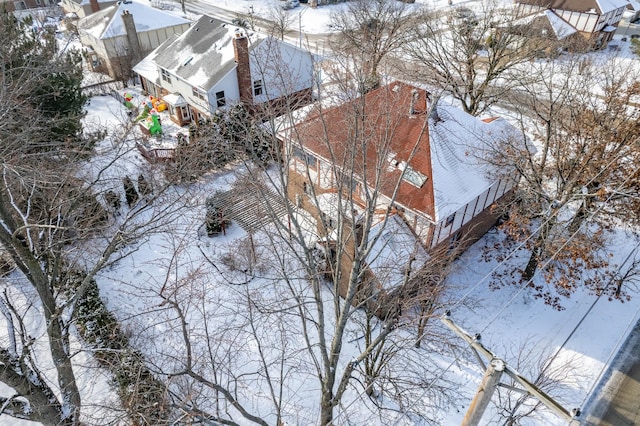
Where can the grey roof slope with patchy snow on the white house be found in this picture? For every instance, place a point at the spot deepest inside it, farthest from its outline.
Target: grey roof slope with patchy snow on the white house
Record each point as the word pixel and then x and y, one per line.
pixel 202 55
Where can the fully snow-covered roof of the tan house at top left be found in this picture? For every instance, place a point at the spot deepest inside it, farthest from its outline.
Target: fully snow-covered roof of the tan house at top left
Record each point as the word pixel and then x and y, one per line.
pixel 107 23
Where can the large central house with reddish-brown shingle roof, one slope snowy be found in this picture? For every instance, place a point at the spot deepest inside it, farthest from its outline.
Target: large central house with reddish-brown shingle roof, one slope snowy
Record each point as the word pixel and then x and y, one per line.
pixel 447 188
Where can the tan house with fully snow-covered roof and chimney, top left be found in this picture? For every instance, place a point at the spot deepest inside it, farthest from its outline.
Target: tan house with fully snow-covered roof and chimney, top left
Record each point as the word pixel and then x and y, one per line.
pixel 117 37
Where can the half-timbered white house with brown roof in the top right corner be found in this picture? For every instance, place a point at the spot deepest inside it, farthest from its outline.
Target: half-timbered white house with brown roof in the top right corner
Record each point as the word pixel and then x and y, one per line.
pixel 595 20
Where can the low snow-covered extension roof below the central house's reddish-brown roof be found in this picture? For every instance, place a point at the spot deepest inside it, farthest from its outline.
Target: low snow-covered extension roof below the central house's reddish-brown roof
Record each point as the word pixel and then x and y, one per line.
pixel 394 252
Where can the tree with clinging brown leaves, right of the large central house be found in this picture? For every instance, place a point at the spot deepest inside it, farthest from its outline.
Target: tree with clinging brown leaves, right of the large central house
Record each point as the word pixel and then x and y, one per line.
pixel 583 168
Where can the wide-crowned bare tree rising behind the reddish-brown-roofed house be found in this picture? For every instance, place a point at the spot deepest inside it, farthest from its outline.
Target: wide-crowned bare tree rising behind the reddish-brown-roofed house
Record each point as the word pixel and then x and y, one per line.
pixel 470 54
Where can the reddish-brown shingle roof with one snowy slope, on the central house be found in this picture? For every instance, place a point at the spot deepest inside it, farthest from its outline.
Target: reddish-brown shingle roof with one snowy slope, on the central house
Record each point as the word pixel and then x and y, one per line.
pixel 441 149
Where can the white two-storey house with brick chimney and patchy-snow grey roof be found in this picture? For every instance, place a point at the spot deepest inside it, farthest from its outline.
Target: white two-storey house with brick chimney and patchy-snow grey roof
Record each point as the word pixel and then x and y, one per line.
pixel 214 65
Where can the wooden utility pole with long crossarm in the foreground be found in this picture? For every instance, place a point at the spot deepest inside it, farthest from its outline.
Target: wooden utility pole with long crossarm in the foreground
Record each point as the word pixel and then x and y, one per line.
pixel 492 379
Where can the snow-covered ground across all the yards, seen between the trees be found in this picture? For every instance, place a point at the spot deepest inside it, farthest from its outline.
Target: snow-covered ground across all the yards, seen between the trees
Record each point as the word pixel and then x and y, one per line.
pixel 227 302
